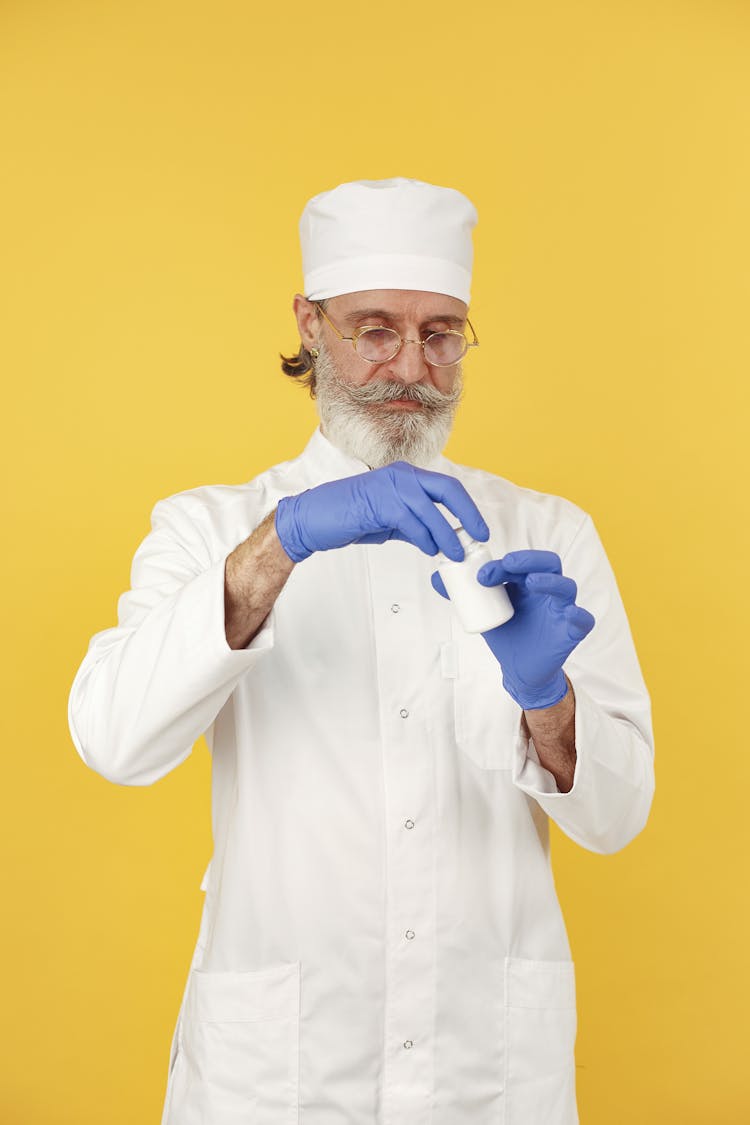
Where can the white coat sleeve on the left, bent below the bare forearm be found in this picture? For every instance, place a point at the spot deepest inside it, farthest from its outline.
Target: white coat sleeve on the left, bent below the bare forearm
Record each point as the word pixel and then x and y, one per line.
pixel 148 689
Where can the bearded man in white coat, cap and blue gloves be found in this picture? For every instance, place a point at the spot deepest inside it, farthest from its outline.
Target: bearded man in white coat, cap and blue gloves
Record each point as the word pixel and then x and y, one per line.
pixel 382 941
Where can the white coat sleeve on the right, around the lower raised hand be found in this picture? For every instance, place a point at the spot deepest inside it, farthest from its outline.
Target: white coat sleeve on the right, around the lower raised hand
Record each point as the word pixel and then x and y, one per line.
pixel 615 781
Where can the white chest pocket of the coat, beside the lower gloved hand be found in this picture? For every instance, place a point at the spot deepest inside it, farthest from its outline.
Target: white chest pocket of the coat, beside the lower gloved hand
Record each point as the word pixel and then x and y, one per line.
pixel 486 718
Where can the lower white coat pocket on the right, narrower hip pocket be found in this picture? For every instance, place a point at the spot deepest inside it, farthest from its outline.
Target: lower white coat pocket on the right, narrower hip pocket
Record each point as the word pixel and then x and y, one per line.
pixel 540 1038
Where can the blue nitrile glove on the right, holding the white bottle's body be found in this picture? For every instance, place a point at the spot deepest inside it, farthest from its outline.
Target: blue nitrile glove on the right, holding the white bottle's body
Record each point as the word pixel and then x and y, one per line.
pixel 532 647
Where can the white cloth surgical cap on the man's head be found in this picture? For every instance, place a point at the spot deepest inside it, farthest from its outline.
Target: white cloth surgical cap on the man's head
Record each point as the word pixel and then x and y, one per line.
pixel 387 235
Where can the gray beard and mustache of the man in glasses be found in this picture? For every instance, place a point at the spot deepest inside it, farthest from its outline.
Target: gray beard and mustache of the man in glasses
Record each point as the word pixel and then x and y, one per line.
pixel 379 436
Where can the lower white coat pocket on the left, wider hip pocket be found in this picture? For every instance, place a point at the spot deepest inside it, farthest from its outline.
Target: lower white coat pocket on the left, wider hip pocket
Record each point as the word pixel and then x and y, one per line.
pixel 241 1048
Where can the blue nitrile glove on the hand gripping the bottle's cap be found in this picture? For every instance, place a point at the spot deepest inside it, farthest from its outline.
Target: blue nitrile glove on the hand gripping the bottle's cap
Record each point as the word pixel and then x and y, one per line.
pixel 393 502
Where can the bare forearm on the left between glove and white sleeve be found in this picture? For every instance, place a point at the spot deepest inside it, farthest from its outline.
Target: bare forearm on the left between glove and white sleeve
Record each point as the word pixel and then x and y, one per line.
pixel 255 574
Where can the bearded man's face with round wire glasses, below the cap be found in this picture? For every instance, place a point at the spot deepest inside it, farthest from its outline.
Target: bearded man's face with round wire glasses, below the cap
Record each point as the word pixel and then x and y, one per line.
pixel 400 410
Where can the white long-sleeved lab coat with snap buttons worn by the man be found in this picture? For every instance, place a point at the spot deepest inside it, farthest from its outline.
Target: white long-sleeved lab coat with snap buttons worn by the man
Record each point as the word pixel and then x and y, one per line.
pixel 382 942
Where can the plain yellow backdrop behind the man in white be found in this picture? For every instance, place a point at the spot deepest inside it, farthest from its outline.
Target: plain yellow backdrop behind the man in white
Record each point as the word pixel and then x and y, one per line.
pixel 156 160
